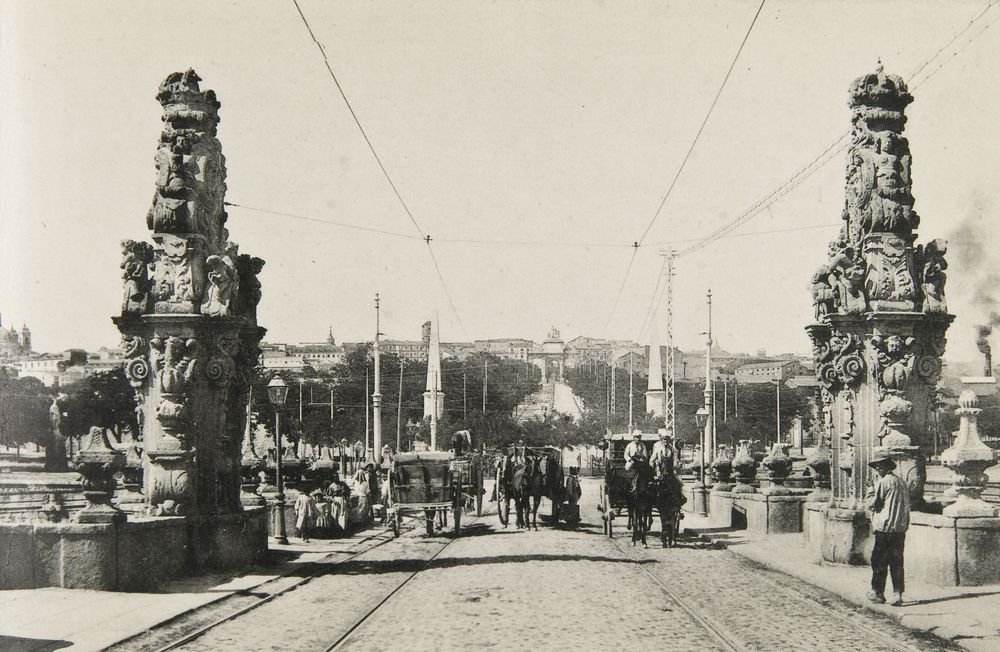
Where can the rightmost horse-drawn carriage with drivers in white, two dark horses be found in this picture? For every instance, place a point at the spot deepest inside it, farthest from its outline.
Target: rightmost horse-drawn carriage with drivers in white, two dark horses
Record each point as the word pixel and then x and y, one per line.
pixel 637 490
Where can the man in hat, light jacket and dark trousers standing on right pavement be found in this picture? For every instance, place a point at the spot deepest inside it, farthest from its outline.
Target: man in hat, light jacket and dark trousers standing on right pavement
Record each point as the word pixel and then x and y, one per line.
pixel 890 504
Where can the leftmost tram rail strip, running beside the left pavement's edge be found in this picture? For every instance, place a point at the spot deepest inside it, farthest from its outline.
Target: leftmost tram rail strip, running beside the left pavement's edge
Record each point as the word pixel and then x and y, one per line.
pixel 255 596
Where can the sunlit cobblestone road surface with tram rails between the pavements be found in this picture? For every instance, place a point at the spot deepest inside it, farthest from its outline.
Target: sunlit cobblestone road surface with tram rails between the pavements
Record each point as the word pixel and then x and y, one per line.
pixel 553 589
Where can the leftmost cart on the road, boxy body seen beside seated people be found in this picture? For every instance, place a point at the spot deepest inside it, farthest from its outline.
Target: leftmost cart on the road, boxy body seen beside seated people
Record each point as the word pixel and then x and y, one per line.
pixel 425 482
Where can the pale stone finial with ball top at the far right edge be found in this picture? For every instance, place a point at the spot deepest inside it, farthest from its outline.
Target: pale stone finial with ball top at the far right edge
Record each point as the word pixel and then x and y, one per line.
pixel 967 458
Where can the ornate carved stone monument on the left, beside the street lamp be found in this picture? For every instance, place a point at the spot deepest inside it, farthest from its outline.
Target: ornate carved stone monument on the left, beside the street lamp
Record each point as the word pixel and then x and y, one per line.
pixel 188 319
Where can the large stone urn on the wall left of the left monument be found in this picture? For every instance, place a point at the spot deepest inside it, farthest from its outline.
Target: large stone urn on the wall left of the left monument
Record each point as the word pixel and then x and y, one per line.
pixel 97 462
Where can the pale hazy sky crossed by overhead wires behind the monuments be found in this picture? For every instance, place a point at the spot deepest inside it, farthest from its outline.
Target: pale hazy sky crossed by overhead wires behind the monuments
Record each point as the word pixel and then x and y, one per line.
pixel 552 122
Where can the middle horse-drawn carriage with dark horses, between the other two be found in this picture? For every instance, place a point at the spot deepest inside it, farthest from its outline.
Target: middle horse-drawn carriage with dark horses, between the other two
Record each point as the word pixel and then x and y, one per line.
pixel 527 475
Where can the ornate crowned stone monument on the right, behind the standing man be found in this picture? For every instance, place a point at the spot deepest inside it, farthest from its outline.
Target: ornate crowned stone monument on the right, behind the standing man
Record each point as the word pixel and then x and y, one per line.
pixel 881 317
